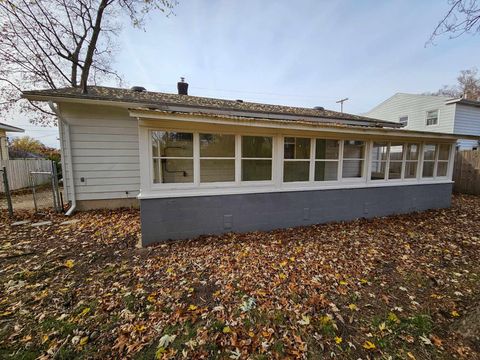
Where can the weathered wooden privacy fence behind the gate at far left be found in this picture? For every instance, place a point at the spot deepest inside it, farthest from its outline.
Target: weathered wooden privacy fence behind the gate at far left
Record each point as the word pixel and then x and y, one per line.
pixel 18 172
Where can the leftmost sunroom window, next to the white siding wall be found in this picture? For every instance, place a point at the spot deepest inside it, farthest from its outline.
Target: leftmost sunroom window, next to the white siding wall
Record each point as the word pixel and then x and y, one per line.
pixel 172 157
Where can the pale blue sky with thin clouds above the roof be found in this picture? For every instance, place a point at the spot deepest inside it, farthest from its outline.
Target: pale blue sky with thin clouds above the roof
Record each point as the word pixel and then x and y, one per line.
pixel 300 53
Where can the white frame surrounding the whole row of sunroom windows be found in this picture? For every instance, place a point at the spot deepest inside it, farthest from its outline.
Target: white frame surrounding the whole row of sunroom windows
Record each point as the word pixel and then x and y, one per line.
pixel 153 190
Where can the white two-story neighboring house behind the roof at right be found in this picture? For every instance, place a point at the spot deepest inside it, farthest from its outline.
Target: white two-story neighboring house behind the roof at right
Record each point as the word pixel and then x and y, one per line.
pixel 432 113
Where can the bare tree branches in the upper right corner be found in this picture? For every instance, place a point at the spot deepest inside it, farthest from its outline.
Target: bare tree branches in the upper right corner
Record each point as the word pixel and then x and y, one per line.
pixel 462 17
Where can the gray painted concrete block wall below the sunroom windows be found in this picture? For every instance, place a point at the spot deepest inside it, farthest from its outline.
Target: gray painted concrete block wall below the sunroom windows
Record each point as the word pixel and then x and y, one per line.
pixel 188 217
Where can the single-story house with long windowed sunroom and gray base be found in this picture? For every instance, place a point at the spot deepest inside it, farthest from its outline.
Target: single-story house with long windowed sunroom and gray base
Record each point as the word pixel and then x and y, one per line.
pixel 207 166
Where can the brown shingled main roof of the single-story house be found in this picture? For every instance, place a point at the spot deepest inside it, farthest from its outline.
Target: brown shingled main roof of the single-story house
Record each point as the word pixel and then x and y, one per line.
pixel 161 100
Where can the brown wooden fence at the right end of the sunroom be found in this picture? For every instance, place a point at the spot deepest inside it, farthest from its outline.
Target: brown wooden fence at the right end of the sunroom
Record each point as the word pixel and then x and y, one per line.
pixel 466 173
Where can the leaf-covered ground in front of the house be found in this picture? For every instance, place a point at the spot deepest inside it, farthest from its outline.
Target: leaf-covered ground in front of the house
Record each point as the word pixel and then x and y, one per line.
pixel 399 287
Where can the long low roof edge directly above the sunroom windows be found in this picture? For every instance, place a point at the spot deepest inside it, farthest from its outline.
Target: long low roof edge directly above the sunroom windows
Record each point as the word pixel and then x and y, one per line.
pixel 305 125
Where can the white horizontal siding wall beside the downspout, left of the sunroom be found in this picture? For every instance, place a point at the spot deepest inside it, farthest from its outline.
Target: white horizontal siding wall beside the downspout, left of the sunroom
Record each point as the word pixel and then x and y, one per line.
pixel 105 152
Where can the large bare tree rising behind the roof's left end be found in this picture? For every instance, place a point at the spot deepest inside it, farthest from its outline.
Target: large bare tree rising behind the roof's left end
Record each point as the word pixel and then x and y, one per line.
pixel 62 43
